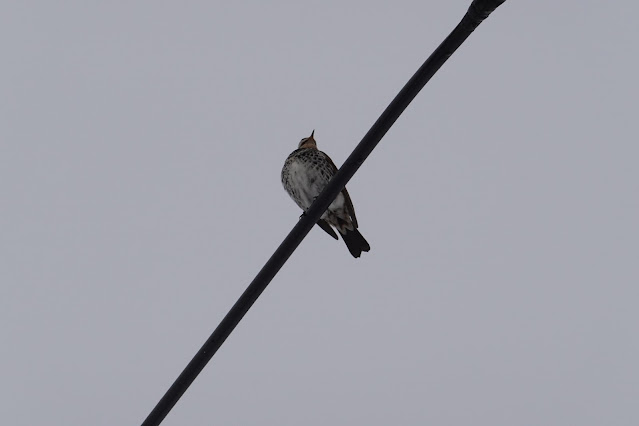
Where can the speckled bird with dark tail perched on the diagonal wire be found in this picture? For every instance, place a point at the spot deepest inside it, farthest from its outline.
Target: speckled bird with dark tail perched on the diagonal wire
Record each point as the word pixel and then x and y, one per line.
pixel 306 172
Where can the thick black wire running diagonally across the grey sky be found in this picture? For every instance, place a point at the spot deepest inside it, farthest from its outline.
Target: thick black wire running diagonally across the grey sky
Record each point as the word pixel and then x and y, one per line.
pixel 477 12
